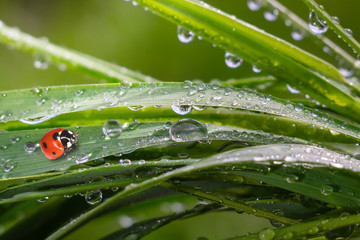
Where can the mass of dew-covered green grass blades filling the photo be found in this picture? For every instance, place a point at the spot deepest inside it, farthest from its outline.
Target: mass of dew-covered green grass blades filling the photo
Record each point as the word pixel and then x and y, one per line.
pixel 283 146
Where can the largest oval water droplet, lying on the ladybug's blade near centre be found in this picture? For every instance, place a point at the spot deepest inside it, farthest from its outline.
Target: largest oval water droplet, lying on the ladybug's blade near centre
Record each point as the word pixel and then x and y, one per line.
pixel 188 130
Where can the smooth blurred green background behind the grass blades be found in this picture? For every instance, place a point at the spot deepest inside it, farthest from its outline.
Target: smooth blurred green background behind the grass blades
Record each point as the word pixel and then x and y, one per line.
pixel 118 32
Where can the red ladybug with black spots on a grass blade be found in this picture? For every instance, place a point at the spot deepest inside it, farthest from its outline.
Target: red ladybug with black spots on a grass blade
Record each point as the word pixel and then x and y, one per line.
pixel 57 142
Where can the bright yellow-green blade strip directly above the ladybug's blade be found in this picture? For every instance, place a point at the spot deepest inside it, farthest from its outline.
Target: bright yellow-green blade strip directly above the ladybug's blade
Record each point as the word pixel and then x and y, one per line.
pixel 241 119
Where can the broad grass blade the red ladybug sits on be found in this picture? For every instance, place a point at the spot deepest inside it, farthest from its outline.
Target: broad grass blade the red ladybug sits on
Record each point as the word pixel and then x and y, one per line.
pixel 16 162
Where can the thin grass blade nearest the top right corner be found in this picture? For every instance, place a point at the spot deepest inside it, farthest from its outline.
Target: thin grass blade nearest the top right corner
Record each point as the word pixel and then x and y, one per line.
pixel 336 27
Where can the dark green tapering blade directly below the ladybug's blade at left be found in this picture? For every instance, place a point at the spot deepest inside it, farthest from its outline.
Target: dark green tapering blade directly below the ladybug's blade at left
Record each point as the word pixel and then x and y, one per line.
pixel 81 181
